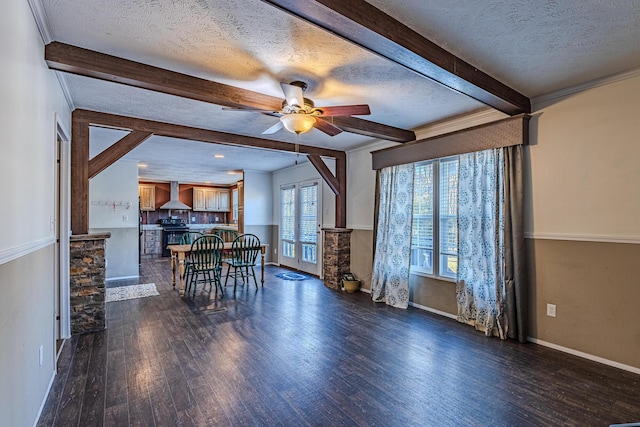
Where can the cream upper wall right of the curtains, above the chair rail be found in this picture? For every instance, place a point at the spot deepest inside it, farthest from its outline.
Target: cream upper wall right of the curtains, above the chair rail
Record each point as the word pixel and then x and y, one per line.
pixel 584 165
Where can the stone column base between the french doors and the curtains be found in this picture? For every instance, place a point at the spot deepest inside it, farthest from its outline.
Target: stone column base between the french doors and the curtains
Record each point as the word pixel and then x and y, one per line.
pixel 337 256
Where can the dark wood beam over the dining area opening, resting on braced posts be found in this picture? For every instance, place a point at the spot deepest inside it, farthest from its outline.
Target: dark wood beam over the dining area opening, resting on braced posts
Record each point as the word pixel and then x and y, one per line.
pixel 197 134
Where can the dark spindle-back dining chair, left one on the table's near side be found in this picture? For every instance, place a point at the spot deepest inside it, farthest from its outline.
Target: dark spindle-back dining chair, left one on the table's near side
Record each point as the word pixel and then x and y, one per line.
pixel 205 263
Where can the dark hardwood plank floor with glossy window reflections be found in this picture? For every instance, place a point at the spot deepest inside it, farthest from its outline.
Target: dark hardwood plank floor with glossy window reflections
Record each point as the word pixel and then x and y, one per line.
pixel 297 353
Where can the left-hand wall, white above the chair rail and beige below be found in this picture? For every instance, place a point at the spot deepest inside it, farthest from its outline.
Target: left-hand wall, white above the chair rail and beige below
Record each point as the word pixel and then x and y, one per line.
pixel 30 99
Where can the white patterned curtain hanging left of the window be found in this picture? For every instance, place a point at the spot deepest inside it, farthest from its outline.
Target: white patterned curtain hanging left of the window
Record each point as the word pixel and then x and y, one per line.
pixel 390 280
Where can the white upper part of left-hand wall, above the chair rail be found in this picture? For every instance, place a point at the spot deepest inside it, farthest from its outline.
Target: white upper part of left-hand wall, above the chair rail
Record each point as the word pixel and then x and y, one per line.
pixel 30 98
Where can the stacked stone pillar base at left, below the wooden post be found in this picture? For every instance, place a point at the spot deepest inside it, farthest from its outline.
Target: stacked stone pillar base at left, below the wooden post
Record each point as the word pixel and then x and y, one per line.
pixel 87 282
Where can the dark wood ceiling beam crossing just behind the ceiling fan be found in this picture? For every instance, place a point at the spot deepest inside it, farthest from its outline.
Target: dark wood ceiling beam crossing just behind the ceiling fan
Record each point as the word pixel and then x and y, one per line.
pixel 84 62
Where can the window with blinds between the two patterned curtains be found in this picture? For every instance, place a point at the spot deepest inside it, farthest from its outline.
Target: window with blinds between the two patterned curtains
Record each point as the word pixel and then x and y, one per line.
pixel 435 202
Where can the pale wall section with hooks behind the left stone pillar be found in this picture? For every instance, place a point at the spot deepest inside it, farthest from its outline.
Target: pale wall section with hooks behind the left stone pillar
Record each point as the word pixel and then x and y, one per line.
pixel 117 184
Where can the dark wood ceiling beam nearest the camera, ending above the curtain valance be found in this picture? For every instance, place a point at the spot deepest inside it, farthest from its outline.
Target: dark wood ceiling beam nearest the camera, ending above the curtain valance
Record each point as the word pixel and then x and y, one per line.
pixel 362 24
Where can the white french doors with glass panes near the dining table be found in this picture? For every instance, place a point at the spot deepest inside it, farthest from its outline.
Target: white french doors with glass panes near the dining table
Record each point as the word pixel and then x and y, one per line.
pixel 300 226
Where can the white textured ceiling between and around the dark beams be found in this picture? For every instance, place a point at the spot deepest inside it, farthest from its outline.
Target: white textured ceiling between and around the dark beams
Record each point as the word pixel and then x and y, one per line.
pixel 534 46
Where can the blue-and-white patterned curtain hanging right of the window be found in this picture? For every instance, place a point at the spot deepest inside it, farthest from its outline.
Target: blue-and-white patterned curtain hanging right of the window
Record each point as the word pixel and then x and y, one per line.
pixel 481 284
